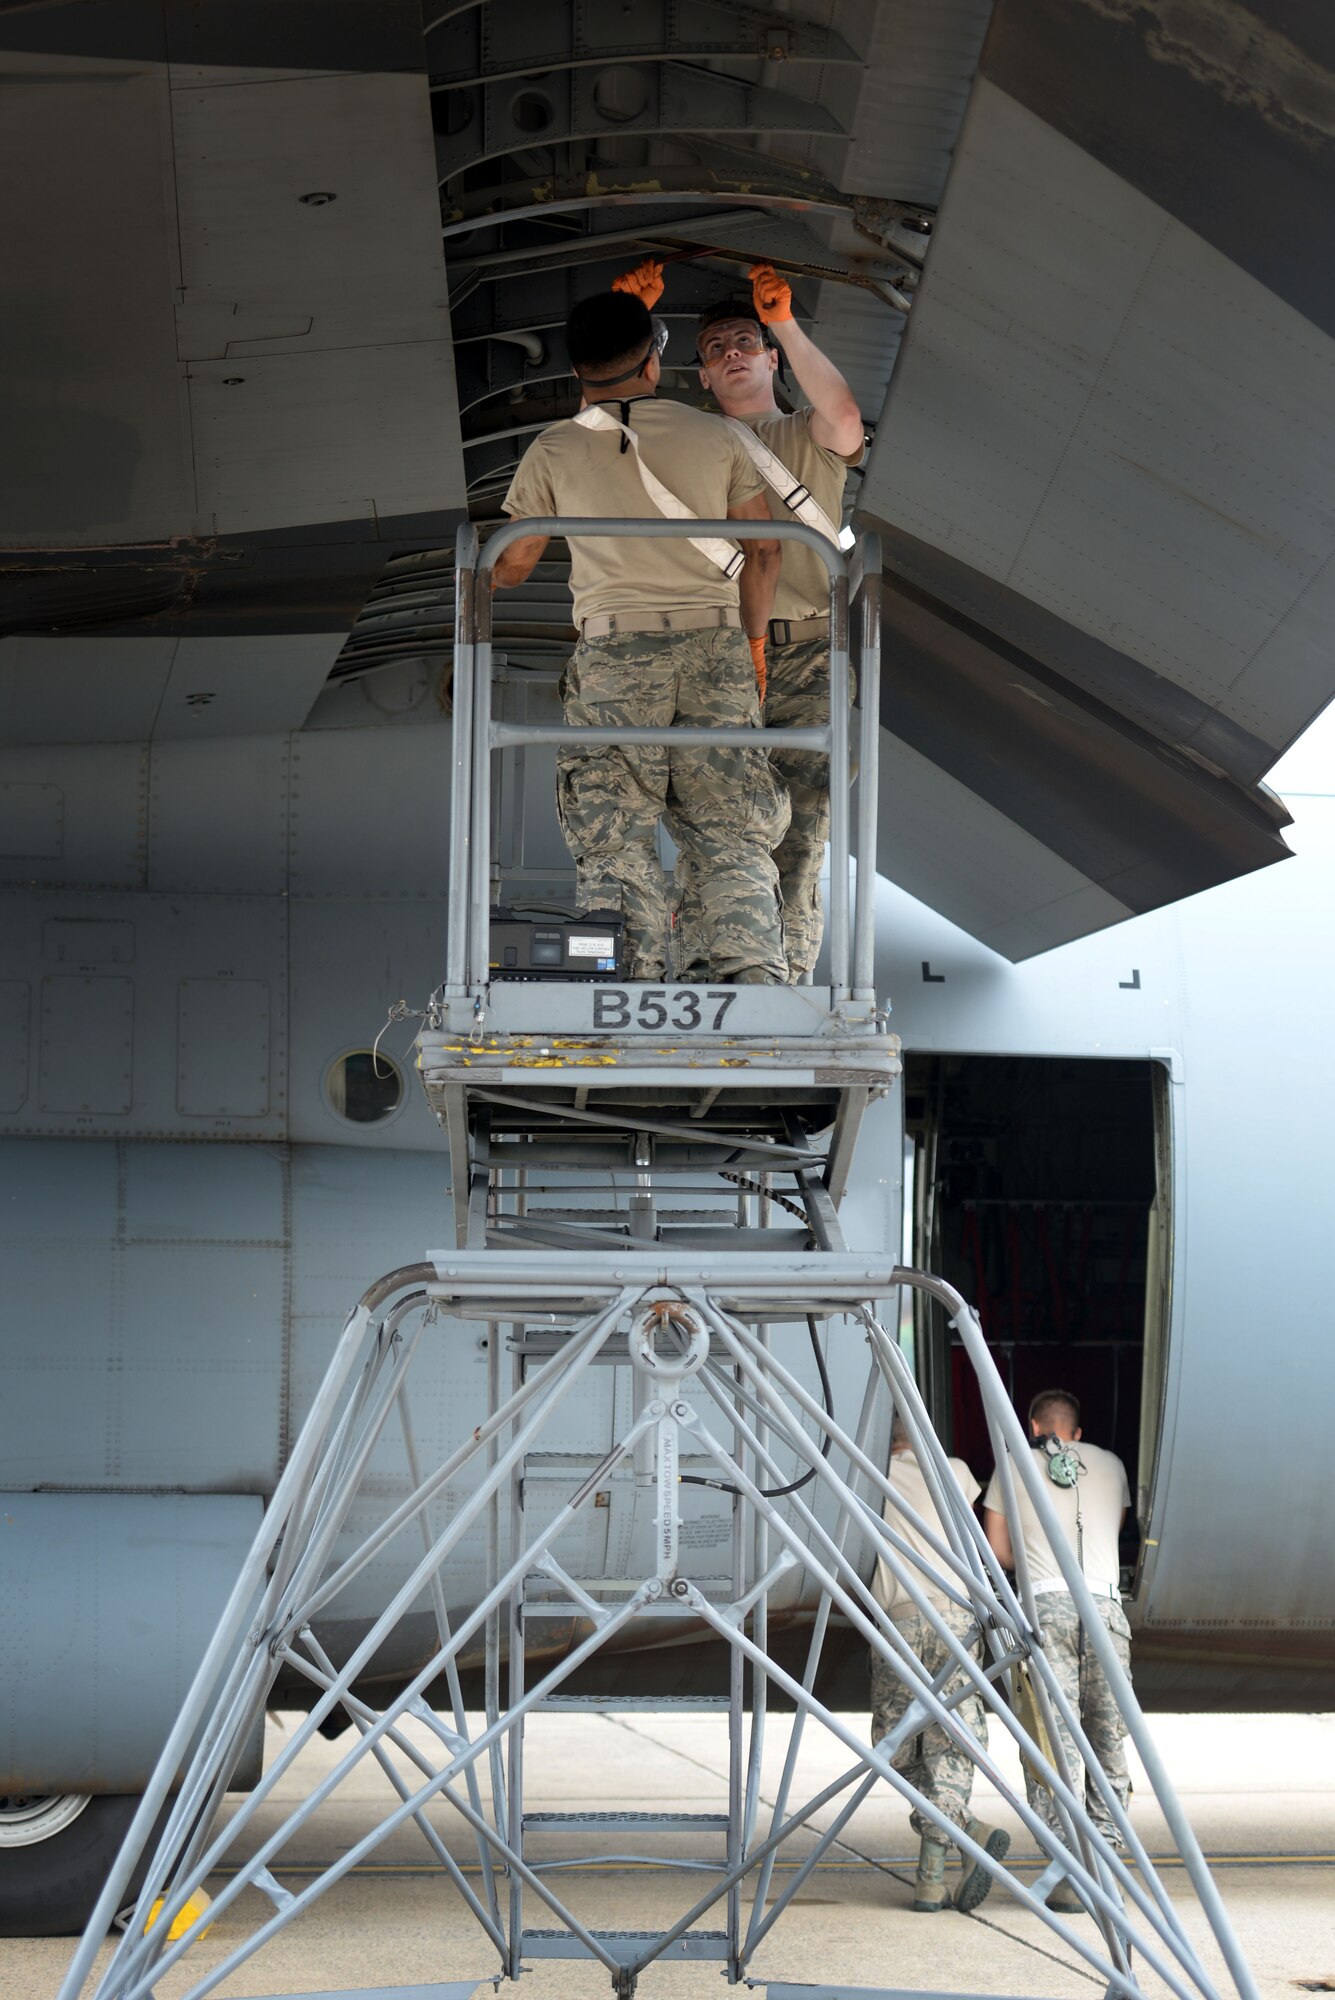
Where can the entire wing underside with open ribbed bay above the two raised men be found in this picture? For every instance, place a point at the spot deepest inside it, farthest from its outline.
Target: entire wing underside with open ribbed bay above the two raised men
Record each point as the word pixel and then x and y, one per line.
pixel 1066 253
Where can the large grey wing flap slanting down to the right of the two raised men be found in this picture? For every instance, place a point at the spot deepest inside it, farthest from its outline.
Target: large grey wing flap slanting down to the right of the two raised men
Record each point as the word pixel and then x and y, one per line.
pixel 1104 469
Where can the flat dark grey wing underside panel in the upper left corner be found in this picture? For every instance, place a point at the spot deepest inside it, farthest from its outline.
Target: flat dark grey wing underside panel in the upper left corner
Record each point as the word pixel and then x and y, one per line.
pixel 231 439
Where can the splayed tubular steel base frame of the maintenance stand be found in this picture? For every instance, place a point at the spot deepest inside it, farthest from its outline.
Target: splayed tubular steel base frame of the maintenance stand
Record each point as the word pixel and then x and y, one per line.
pixel 698 1323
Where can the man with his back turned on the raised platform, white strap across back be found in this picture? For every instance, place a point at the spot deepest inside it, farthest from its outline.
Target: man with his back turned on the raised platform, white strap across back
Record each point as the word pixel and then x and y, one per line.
pixel 663 639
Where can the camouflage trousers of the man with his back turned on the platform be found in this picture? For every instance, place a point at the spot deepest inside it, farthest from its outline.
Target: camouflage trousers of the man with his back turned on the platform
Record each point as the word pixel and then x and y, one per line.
pixel 726 807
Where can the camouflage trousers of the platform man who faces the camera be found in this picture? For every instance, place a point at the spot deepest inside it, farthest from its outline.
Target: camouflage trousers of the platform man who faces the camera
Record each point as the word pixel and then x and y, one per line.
pixel 796 697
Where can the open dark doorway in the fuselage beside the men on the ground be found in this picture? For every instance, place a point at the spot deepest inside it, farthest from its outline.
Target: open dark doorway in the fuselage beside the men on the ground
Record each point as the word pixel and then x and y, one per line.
pixel 1042 1189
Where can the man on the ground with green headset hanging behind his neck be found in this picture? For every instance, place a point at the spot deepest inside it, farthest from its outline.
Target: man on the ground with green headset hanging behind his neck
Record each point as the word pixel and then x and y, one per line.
pixel 1088 1489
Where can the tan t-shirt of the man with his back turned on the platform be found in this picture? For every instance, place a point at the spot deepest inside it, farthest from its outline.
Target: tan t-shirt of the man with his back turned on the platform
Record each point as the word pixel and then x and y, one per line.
pixel 575 471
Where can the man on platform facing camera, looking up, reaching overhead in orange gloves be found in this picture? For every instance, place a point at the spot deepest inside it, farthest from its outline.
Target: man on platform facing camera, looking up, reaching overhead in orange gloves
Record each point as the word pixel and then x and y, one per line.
pixel 804 459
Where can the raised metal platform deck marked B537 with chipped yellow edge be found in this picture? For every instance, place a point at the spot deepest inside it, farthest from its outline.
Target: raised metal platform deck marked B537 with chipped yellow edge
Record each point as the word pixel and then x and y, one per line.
pixel 782 1091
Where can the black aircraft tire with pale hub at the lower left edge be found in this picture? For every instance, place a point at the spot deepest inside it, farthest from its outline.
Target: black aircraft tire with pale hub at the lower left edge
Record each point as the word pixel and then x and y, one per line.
pixel 55 1857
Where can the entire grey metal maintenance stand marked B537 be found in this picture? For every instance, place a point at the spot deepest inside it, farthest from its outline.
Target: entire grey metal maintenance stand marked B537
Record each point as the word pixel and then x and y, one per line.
pixel 716 1291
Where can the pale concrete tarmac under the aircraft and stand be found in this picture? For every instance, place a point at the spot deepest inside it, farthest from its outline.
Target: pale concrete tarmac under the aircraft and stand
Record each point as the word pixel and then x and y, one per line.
pixel 1260 1793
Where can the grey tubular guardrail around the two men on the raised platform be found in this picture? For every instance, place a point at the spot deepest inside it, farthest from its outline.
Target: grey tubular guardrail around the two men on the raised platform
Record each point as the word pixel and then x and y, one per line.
pixel 854 587
